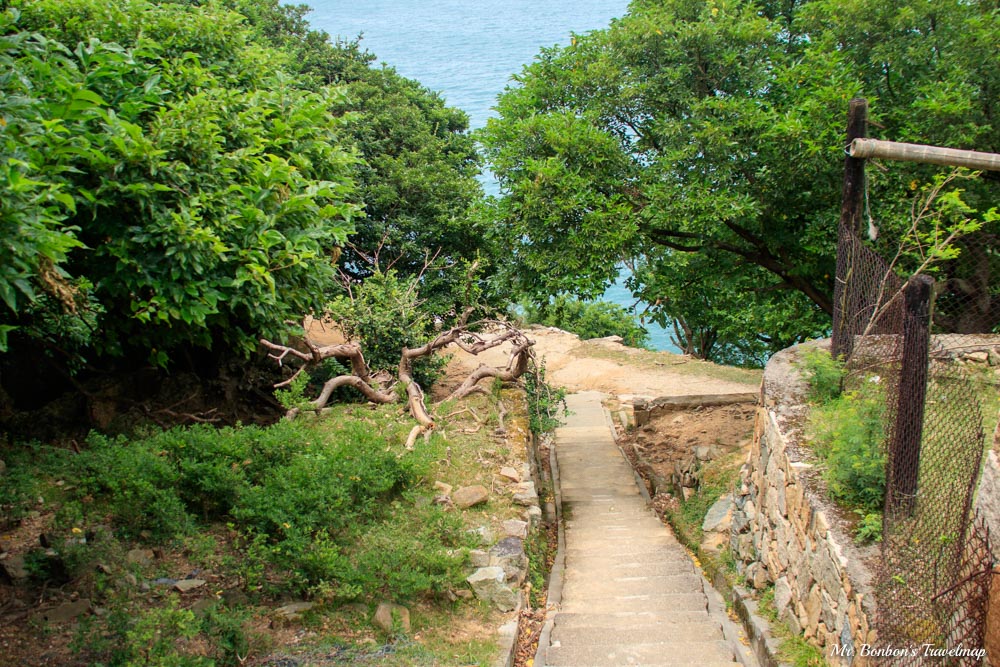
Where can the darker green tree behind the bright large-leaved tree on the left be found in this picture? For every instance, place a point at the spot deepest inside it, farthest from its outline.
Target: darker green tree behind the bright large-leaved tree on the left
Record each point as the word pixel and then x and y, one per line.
pixel 418 175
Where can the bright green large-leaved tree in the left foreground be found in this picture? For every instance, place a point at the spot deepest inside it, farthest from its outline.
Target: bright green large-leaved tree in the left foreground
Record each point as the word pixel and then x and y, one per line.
pixel 167 177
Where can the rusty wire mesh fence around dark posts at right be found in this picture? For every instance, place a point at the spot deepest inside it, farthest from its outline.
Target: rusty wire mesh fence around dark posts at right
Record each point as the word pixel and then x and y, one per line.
pixel 915 339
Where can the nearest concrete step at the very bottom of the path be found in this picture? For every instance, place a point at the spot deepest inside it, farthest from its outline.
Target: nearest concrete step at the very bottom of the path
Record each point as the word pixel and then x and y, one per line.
pixel 650 653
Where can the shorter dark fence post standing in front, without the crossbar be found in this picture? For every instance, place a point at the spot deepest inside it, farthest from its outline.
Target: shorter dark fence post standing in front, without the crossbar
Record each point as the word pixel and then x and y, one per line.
pixel 909 427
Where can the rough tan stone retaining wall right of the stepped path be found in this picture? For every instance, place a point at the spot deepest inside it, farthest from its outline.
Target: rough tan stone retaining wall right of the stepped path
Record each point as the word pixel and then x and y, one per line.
pixel 782 533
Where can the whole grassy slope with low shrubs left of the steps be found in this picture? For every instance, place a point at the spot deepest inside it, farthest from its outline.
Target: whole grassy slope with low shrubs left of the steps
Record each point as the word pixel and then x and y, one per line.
pixel 335 511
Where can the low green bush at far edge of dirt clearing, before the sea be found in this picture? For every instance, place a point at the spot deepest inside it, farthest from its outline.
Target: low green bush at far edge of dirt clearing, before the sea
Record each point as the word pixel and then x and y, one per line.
pixel 587 319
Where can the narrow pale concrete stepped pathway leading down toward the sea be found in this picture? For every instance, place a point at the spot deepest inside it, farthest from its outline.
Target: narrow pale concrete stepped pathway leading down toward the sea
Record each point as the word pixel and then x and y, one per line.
pixel 631 595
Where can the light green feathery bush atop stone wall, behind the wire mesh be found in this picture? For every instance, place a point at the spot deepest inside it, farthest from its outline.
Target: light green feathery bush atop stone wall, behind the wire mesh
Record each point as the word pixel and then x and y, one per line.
pixel 848 433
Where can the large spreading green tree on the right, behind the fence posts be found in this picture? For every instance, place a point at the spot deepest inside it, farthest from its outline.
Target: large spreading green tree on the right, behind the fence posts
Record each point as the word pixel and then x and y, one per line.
pixel 702 140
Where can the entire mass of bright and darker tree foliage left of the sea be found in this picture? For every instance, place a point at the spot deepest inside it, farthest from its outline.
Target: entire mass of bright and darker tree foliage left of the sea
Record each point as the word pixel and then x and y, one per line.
pixel 183 175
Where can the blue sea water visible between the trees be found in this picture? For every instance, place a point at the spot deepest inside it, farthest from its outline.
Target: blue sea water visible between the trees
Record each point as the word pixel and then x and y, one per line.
pixel 467 51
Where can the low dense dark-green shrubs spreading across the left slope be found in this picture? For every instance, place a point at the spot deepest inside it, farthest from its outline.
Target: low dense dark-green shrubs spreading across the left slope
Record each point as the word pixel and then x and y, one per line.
pixel 310 509
